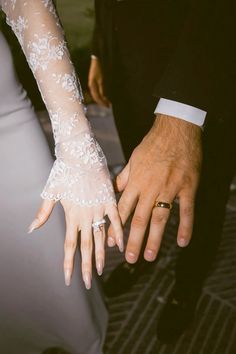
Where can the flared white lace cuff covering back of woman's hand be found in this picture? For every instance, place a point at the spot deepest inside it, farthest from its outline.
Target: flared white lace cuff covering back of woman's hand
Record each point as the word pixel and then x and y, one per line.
pixel 80 164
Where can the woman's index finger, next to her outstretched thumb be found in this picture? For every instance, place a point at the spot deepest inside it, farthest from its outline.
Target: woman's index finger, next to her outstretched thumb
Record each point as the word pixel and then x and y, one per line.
pixel 70 246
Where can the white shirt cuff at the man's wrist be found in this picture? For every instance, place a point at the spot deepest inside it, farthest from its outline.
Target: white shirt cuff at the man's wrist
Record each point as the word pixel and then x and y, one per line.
pixel 182 111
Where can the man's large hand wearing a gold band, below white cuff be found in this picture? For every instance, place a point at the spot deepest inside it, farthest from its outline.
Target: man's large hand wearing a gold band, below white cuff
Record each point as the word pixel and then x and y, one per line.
pixel 166 165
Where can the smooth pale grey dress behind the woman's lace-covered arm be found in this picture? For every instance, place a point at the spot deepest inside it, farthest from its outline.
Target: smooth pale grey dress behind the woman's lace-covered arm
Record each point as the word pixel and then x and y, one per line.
pixel 36 309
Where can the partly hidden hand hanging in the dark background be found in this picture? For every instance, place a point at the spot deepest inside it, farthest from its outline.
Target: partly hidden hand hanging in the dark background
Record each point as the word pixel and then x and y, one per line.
pixel 95 83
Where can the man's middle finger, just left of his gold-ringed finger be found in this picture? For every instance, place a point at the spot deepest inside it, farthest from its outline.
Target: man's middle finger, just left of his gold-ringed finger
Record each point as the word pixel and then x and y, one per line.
pixel 139 225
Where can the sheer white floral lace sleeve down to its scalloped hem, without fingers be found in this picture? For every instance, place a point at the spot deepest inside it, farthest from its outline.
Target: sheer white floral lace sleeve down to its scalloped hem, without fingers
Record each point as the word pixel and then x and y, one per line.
pixel 80 172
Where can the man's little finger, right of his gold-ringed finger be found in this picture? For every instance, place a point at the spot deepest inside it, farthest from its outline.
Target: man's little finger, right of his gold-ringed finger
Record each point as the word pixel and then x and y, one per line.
pixel 186 211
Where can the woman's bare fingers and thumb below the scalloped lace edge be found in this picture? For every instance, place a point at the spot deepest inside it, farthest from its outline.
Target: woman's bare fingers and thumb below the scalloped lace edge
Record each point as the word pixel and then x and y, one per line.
pixel 79 220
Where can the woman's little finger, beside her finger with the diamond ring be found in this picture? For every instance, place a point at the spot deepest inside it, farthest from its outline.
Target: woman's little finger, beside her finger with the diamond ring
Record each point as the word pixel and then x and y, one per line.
pixel 116 236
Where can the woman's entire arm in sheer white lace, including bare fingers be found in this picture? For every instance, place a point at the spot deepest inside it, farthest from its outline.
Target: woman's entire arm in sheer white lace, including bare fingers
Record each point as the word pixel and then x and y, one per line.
pixel 79 177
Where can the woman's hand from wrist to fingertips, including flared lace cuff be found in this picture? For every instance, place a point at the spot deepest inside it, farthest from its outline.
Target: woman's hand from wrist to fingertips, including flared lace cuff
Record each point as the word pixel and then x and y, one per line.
pixel 80 180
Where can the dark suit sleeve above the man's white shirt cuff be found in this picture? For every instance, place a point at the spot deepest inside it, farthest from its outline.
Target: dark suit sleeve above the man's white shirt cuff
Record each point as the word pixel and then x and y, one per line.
pixel 195 75
